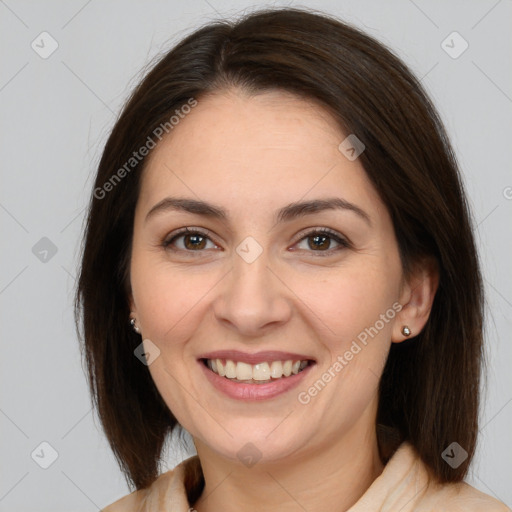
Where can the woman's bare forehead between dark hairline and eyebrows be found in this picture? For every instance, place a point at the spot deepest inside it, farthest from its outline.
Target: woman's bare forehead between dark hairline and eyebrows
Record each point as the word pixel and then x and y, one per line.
pixel 265 149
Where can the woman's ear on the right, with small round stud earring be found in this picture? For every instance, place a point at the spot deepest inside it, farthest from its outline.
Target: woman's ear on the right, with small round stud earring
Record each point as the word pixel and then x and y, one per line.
pixel 416 297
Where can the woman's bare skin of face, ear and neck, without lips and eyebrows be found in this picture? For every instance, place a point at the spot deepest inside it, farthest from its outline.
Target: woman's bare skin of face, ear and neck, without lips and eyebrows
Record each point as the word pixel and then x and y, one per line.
pixel 252 156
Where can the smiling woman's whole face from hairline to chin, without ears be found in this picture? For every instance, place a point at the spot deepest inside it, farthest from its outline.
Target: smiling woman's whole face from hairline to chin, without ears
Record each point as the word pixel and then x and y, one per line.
pixel 261 287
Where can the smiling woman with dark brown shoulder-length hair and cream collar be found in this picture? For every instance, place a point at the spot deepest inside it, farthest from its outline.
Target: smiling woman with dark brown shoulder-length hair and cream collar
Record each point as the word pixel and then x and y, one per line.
pixel 279 259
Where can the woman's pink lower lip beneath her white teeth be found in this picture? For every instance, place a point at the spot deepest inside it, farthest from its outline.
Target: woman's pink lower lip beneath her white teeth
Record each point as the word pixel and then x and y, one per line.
pixel 252 392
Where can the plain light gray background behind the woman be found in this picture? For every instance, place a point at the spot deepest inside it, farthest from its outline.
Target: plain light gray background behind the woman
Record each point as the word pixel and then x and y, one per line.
pixel 56 113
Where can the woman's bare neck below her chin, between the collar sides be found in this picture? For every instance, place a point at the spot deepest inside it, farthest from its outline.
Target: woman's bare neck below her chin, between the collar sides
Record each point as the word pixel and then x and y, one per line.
pixel 333 476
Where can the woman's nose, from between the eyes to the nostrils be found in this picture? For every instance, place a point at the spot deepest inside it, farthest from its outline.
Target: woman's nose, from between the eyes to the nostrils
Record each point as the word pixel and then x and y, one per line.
pixel 252 298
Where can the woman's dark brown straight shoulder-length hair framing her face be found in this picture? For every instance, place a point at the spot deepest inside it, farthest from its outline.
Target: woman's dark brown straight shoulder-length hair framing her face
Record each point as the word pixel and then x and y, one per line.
pixel 430 386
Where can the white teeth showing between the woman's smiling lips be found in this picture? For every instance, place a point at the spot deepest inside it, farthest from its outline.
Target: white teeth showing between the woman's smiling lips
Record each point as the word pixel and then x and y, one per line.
pixel 260 373
